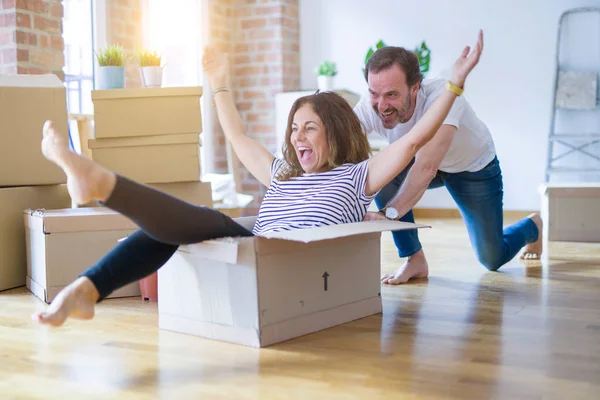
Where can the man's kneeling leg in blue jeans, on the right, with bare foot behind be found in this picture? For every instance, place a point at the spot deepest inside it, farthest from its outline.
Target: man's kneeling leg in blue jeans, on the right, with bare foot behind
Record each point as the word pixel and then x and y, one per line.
pixel 479 198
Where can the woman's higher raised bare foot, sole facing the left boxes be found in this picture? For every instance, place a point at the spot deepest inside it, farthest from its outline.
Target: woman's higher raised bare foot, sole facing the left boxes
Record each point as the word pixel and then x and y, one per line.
pixel 86 180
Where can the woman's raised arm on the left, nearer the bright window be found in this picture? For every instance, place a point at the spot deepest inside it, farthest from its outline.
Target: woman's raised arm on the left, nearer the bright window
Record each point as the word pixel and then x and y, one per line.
pixel 252 154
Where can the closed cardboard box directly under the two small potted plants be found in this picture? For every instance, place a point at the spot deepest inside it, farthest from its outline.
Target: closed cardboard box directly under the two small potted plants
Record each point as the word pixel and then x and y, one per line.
pixel 147 111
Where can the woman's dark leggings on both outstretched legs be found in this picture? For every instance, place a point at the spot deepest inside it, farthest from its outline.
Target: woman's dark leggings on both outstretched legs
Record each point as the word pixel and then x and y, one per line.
pixel 166 222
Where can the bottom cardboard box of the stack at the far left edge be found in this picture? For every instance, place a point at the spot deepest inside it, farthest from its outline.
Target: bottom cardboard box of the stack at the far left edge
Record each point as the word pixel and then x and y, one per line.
pixel 13 201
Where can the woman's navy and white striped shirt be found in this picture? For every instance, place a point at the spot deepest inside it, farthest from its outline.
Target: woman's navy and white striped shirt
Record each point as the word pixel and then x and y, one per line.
pixel 312 200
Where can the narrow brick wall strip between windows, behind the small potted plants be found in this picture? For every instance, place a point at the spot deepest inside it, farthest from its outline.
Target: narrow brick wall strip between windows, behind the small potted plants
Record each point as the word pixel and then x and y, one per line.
pixel 124 26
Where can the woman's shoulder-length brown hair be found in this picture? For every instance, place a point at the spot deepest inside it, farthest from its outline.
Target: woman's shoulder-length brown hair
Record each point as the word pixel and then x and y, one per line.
pixel 345 135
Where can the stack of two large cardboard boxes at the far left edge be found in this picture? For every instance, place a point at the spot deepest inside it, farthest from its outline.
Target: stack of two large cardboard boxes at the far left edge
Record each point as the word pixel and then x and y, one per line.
pixel 27 179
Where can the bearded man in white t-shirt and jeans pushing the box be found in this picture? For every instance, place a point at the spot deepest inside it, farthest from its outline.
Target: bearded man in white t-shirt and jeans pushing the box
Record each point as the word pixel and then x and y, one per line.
pixel 461 157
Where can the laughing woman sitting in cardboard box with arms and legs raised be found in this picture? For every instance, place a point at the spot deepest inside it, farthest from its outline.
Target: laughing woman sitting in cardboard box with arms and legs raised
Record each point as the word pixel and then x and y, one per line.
pixel 325 178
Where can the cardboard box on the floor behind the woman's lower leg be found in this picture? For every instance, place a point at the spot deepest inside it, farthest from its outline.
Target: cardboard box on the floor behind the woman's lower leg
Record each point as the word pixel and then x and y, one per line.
pixel 63 243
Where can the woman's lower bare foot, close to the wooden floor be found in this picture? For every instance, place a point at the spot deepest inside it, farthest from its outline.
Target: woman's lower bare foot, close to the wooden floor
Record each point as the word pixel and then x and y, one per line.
pixel 76 301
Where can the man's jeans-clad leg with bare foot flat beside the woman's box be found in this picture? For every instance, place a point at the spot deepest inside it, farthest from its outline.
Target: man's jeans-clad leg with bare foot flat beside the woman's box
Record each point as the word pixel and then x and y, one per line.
pixel 406 241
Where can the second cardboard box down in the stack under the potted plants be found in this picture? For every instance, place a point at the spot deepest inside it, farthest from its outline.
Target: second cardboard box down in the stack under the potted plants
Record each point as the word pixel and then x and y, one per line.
pixel 151 159
